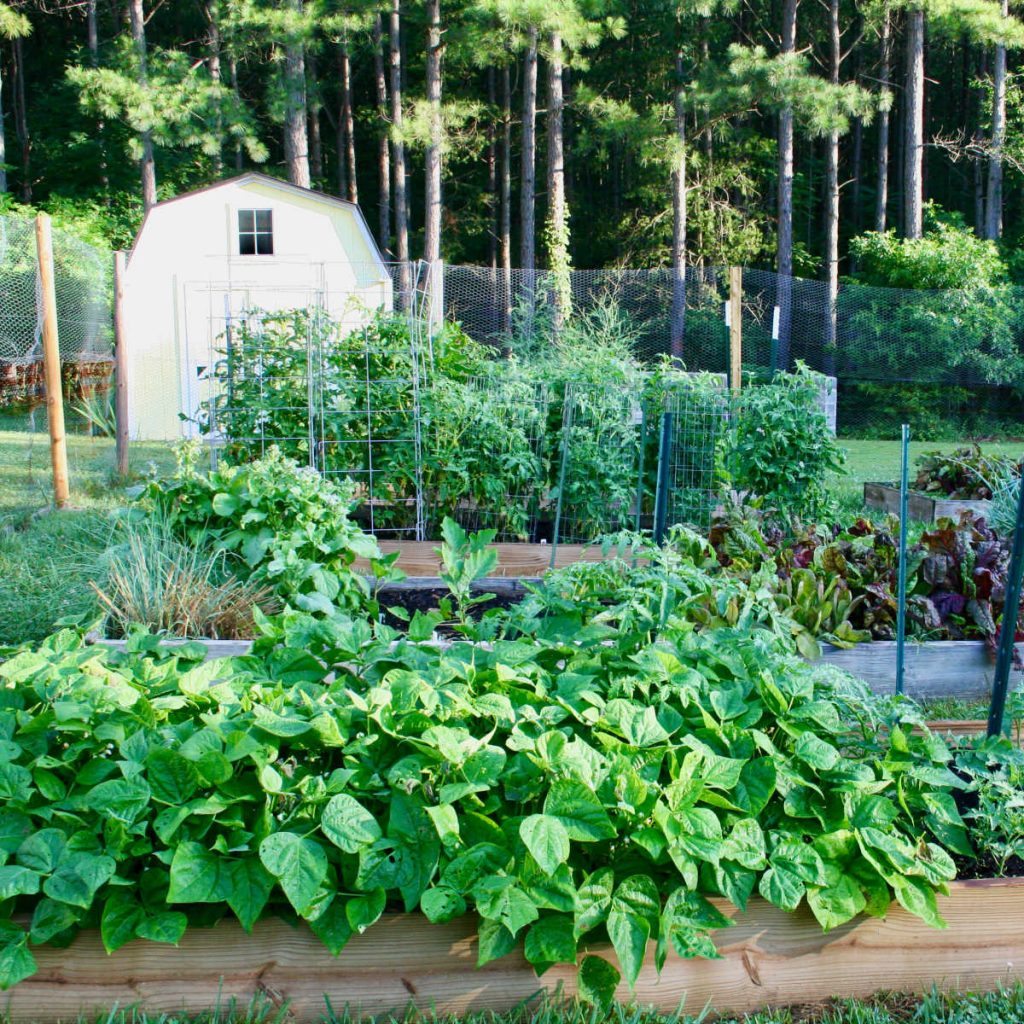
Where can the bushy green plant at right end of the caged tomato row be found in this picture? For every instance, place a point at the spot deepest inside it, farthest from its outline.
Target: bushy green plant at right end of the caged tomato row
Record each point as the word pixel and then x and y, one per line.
pixel 779 447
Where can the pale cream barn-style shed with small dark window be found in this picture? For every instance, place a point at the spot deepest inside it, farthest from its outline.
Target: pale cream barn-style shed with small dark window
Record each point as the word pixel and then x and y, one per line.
pixel 207 258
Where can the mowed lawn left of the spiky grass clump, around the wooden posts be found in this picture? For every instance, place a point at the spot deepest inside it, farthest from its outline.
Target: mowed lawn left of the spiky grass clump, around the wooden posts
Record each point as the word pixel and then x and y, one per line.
pixel 45 554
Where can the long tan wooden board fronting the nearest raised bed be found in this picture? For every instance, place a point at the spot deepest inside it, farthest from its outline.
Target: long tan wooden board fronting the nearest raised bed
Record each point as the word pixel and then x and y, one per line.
pixel 770 959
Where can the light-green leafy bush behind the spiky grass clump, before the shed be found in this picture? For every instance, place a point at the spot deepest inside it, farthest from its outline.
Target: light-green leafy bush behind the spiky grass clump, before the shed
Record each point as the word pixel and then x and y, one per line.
pixel 283 525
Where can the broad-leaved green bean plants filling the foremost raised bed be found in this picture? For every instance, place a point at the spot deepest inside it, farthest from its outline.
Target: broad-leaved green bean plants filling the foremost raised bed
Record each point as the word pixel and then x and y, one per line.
pixel 592 775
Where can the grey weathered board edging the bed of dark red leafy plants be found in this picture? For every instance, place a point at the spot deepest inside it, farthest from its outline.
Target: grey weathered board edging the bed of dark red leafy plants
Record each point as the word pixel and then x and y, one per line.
pixel 935 669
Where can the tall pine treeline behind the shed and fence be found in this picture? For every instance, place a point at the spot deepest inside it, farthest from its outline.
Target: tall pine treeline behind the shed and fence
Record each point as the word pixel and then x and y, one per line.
pixel 535 133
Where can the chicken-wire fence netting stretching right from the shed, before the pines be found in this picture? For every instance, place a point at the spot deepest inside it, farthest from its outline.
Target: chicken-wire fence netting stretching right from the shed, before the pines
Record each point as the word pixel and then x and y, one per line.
pixel 949 363
